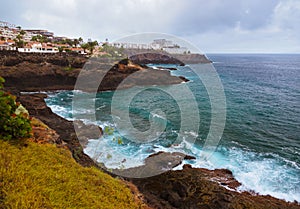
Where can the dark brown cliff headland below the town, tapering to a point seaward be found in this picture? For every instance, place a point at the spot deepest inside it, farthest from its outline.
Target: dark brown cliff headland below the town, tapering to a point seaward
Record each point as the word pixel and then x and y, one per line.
pixel 33 72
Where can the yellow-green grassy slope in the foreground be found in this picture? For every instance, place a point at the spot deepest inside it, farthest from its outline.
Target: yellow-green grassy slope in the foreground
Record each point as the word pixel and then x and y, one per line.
pixel 44 176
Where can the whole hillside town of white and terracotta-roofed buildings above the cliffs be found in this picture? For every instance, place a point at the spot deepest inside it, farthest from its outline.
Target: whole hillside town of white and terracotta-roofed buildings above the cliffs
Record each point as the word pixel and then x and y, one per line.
pixel 16 38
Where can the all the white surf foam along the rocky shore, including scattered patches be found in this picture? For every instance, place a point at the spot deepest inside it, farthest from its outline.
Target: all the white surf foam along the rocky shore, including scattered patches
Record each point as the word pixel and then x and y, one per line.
pixel 264 173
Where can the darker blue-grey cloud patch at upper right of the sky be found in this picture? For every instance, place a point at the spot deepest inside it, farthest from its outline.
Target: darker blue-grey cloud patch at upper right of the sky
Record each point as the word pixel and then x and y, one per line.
pixel 200 16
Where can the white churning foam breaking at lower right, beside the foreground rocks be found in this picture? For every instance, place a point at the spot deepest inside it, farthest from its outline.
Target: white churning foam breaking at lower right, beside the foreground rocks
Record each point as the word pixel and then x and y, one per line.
pixel 266 176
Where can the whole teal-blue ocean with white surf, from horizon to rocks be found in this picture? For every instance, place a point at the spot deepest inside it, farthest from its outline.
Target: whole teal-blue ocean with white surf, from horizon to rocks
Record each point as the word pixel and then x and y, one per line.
pixel 261 139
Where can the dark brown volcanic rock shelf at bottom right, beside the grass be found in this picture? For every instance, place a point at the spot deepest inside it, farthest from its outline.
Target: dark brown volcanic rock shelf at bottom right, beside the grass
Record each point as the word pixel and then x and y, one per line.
pixel 198 188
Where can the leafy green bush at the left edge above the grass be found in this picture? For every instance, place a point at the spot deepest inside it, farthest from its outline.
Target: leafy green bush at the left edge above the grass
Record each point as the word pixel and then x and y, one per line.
pixel 14 118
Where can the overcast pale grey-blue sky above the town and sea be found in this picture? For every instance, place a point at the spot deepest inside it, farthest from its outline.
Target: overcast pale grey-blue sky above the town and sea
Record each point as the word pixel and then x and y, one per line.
pixel 214 26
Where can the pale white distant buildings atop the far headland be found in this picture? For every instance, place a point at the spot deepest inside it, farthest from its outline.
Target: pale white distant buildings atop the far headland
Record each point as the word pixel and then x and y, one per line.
pixel 157 44
